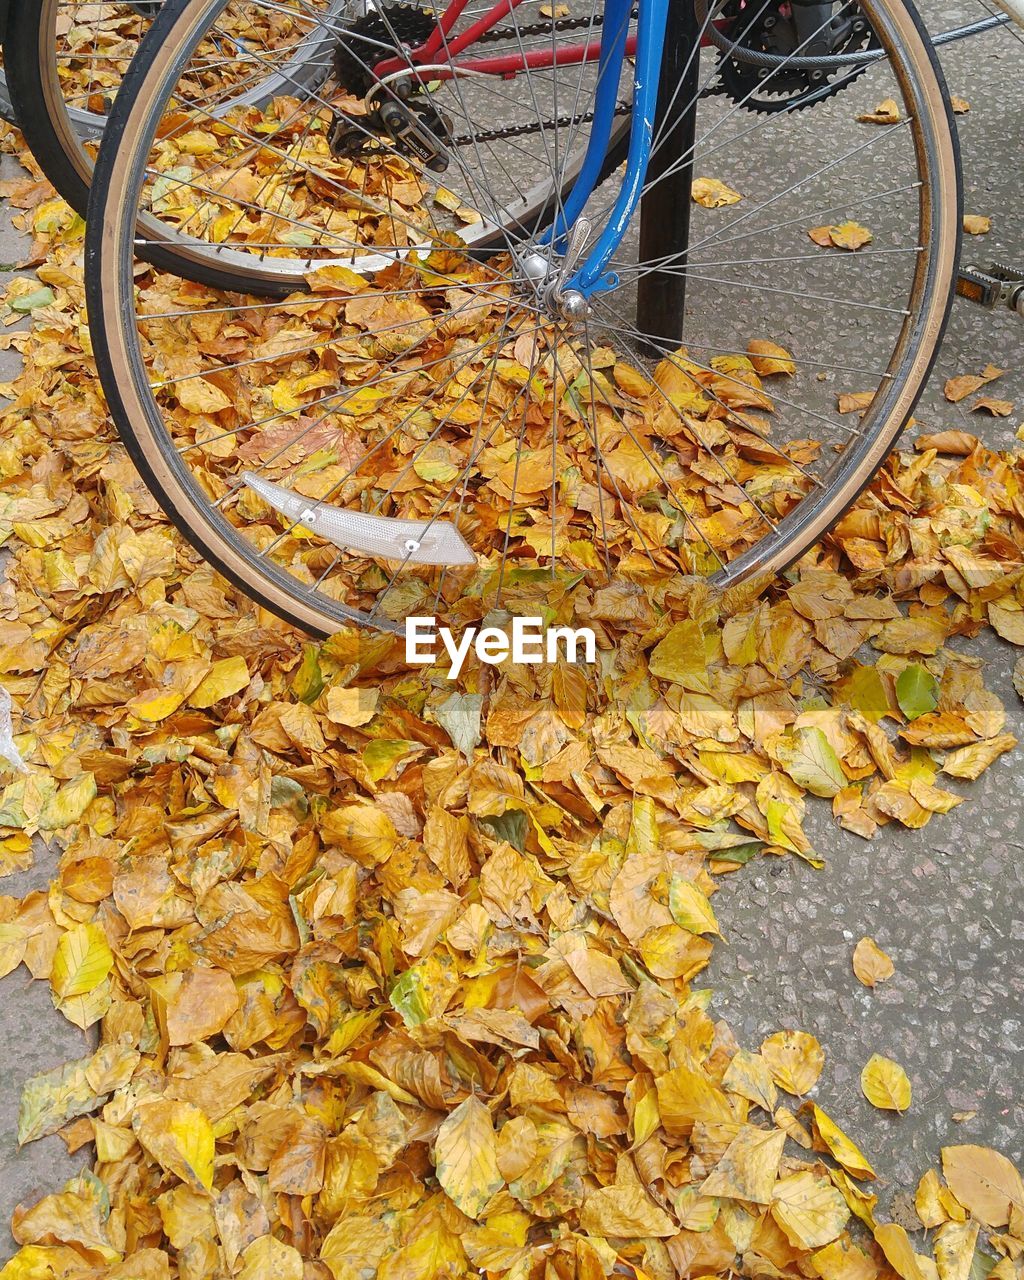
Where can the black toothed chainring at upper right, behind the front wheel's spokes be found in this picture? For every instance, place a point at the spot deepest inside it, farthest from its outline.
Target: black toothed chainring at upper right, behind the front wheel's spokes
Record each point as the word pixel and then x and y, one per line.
pixel 774 33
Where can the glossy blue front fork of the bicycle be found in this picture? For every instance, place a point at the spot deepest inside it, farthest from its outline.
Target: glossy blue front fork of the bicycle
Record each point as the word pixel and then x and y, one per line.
pixel 591 276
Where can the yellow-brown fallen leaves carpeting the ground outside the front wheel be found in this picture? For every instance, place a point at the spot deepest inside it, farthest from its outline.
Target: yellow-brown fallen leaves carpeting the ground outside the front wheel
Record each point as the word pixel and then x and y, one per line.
pixel 394 976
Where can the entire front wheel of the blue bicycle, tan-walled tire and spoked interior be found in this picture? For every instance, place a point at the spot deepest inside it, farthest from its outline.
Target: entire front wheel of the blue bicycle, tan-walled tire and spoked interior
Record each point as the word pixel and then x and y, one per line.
pixel 419 424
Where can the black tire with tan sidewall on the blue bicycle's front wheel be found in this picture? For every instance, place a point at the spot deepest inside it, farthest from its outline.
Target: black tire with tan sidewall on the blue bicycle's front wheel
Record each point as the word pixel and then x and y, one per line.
pixel 124 376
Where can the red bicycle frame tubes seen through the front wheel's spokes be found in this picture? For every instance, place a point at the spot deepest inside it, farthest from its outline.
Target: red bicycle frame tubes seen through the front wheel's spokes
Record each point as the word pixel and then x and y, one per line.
pixel 442 49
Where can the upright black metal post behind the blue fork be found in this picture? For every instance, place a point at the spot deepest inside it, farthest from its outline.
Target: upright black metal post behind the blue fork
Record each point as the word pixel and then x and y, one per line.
pixel 665 211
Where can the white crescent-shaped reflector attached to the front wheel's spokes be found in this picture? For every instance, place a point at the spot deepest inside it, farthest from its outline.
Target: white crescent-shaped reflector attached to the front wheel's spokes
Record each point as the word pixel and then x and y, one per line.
pixel 413 542
